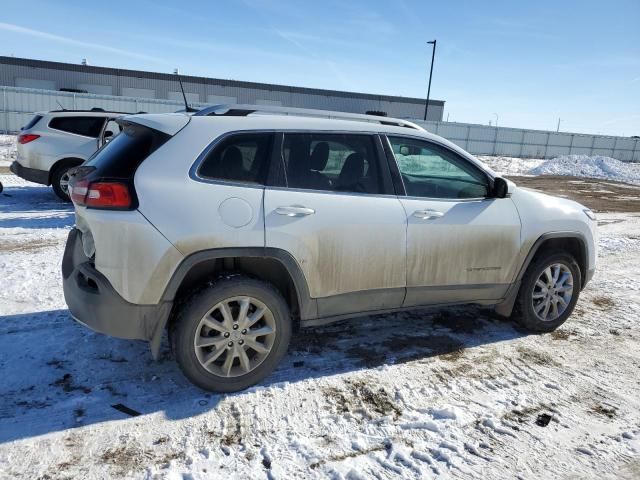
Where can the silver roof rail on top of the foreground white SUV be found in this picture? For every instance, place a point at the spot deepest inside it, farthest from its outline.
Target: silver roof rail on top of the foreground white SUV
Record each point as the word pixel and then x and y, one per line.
pixel 240 110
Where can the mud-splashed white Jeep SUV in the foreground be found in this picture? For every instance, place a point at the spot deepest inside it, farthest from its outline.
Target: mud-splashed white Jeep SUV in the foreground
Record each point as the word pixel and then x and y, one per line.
pixel 233 227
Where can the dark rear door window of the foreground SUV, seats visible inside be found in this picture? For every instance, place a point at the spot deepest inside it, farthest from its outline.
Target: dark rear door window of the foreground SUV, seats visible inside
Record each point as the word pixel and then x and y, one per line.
pixel 333 162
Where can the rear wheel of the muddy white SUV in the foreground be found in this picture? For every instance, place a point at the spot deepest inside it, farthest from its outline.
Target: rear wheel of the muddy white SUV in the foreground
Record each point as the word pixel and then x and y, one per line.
pixel 232 334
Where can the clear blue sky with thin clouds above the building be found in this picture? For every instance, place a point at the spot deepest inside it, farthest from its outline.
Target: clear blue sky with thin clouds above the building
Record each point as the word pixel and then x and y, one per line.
pixel 526 62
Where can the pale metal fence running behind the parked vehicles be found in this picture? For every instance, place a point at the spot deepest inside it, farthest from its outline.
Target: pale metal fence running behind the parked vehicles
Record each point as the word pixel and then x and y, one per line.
pixel 19 105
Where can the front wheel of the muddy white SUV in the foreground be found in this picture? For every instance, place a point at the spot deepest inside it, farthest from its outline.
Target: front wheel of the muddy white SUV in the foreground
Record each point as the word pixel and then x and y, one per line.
pixel 548 293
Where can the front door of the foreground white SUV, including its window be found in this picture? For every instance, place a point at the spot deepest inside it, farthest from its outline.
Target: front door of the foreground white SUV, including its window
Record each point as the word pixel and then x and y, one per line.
pixel 461 244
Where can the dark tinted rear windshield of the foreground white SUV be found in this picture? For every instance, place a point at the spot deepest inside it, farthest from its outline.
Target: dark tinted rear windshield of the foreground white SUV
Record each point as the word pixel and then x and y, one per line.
pixel 123 155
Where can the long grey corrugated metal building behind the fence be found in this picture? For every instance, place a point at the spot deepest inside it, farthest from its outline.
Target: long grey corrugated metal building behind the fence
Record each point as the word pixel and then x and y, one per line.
pixel 27 73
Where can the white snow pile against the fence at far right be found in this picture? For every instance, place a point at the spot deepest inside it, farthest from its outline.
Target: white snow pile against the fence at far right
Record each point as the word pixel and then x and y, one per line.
pixel 594 167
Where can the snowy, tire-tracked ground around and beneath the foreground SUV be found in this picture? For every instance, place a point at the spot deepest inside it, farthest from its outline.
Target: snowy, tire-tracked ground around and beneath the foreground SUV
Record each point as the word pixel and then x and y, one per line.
pixel 440 393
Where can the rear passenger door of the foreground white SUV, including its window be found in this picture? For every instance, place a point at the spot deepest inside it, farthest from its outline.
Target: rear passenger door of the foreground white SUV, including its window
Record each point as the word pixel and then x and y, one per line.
pixel 340 219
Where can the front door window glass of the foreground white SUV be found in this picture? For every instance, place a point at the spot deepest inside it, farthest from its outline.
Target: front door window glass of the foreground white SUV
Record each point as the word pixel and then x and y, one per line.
pixel 431 171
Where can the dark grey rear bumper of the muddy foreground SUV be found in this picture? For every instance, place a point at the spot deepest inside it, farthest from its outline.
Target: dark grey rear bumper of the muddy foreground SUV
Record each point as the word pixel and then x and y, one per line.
pixel 94 303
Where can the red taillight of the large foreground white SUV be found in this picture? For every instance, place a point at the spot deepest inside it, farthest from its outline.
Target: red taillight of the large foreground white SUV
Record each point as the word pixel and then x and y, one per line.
pixel 107 195
